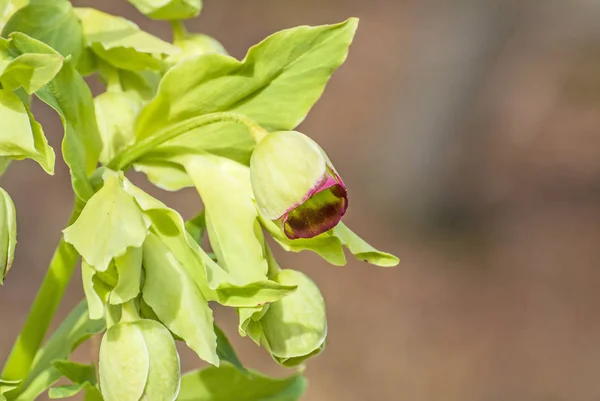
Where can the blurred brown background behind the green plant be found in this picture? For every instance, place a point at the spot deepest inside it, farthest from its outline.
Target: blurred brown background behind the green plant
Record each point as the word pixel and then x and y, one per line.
pixel 468 132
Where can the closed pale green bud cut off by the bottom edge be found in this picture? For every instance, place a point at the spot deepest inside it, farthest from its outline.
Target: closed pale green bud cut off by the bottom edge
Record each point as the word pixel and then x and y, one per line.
pixel 139 362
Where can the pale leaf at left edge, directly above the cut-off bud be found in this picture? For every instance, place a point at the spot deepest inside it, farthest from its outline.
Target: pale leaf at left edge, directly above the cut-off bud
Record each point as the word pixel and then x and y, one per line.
pixel 21 136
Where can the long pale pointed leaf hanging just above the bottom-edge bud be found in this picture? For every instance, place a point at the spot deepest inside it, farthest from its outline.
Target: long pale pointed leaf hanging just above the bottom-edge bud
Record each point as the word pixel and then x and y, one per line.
pixel 177 301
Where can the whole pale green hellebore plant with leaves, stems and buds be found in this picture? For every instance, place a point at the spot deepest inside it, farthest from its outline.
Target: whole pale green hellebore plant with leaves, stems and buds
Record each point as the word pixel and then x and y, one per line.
pixel 185 114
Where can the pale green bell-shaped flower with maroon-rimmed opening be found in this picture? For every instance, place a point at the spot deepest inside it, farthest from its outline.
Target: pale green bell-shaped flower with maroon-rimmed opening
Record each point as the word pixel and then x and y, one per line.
pixel 295 185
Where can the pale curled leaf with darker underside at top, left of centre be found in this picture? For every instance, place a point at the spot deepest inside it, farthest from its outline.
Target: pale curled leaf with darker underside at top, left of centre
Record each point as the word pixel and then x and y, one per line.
pixel 122 43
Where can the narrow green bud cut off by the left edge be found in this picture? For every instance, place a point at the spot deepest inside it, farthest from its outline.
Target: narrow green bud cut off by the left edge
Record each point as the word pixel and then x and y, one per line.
pixel 8 233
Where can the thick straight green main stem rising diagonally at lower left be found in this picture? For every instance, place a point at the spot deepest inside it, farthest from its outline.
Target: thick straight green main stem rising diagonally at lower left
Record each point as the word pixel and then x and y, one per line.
pixel 43 309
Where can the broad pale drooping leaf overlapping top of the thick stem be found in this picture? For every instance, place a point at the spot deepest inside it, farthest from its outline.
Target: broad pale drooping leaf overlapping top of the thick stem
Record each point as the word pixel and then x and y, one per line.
pixel 109 223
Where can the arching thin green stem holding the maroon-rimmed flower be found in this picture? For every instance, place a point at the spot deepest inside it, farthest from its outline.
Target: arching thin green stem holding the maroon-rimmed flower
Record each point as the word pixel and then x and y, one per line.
pixel 140 148
